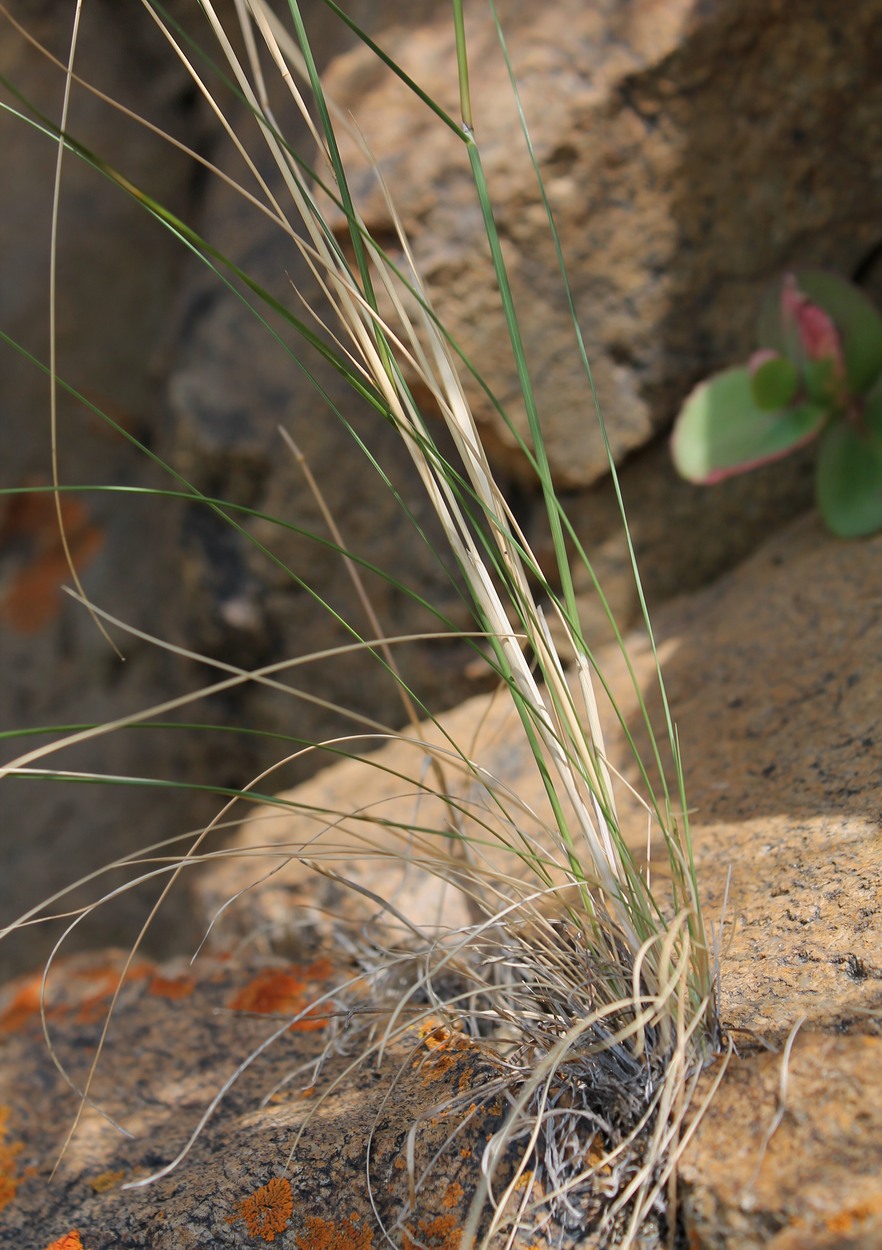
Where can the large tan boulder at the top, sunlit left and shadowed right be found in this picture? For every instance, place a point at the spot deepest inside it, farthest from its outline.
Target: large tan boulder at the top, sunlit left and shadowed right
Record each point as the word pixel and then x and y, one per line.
pixel 690 151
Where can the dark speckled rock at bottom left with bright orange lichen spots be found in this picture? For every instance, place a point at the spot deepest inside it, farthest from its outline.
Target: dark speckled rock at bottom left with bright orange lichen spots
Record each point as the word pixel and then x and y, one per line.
pixel 307 1149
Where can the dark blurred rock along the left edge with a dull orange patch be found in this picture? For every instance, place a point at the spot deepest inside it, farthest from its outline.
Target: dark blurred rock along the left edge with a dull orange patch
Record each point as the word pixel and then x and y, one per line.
pixel 117 284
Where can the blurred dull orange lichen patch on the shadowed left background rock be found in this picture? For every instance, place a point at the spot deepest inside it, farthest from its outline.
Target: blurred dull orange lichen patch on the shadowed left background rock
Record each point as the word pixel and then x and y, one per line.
pixel 29 531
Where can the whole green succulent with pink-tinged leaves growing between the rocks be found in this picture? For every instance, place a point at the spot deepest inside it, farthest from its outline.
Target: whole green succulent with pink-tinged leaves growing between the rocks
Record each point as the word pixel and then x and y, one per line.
pixel 818 374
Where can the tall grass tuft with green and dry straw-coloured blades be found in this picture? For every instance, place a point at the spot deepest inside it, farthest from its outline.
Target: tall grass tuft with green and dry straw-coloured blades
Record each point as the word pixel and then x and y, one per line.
pixel 598 992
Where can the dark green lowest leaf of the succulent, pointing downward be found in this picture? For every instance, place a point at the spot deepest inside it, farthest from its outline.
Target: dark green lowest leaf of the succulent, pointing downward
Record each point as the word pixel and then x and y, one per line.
pixel 850 473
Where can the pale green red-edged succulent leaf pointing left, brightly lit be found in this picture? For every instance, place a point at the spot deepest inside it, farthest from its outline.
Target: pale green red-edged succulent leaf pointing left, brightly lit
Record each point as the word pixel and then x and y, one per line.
pixel 721 432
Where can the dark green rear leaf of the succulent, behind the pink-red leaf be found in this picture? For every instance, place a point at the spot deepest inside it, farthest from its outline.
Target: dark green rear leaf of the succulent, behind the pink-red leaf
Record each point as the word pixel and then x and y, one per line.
pixel 859 323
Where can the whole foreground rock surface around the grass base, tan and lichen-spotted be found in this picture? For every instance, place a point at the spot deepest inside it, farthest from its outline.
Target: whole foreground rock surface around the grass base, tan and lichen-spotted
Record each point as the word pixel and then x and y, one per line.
pixel 775 678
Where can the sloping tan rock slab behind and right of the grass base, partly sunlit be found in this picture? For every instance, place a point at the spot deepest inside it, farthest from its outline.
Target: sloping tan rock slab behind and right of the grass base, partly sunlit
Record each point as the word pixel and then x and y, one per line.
pixel 774 677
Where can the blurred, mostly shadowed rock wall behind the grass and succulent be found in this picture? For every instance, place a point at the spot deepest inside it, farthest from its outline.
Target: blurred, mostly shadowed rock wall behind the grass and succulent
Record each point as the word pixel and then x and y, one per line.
pixel 693 151
